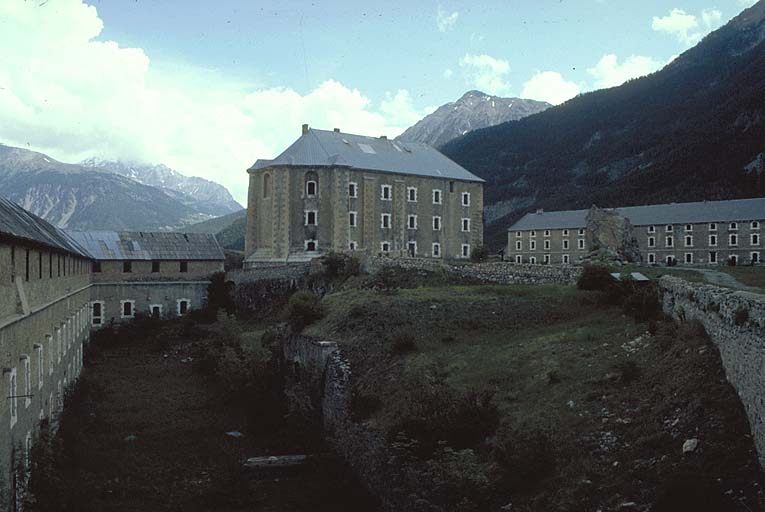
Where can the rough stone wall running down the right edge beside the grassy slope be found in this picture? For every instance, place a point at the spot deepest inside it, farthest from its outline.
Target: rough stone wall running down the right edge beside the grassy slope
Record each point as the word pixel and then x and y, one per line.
pixel 735 321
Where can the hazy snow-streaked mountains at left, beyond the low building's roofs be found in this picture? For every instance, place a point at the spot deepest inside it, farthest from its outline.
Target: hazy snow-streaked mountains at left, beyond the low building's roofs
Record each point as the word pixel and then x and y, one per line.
pixel 101 197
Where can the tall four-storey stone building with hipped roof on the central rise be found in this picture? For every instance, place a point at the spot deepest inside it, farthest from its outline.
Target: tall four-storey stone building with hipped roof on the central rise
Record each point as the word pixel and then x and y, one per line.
pixel 333 191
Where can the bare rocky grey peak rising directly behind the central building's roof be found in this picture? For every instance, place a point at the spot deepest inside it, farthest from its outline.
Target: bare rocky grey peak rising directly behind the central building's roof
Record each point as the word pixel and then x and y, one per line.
pixel 472 111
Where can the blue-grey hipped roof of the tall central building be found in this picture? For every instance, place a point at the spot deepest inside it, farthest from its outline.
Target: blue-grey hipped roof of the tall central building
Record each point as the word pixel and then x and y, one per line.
pixel 321 148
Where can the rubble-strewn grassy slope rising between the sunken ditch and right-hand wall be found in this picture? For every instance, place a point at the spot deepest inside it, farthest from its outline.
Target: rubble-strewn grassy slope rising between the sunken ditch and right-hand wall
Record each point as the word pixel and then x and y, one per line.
pixel 543 398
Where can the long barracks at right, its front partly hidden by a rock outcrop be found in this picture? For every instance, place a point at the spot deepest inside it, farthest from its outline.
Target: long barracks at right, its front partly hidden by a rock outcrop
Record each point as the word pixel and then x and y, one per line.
pixel 700 233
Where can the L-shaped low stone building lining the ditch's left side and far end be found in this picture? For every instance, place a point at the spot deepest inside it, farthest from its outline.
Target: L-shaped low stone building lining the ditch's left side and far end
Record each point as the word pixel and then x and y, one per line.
pixel 54 287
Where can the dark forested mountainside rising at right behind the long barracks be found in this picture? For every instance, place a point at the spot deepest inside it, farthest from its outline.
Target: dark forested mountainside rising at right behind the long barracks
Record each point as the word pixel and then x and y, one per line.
pixel 692 131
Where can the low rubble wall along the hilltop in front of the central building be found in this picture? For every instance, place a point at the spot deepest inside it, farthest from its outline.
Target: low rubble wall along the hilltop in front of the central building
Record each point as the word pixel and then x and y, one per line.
pixel 491 272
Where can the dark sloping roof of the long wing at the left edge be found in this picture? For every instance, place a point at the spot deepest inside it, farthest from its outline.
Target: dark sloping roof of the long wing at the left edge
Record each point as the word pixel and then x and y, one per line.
pixel 16 222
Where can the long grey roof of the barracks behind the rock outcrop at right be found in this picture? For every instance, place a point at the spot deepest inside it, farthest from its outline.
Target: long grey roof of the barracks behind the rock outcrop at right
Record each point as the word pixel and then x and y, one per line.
pixel 672 213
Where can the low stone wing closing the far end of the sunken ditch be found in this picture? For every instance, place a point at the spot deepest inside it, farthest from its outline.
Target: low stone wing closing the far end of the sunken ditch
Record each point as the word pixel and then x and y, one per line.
pixel 160 274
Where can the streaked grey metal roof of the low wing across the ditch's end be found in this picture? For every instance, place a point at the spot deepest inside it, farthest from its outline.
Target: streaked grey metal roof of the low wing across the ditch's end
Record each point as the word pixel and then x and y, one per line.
pixel 128 245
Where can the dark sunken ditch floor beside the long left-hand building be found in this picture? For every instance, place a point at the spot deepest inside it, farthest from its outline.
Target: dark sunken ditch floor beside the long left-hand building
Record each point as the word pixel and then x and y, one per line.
pixel 145 430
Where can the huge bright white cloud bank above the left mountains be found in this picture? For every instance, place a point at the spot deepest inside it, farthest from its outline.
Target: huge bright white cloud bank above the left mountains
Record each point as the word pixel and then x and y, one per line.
pixel 66 94
